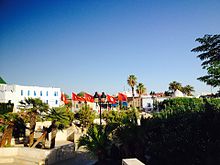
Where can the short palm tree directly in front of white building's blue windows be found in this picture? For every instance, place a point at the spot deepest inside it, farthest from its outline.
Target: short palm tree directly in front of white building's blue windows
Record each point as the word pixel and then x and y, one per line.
pixel 33 108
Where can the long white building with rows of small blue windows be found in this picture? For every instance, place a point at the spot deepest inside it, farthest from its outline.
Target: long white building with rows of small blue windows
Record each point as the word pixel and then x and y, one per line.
pixel 17 93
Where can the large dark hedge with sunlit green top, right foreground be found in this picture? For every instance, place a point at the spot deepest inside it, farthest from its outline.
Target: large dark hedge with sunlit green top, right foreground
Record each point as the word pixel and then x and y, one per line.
pixel 184 132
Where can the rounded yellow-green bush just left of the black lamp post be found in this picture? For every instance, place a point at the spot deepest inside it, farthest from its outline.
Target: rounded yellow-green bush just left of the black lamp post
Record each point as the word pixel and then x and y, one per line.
pixel 86 116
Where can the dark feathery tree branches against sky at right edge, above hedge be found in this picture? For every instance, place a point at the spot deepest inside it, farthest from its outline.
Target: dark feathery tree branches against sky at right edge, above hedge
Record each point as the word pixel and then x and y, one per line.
pixel 210 57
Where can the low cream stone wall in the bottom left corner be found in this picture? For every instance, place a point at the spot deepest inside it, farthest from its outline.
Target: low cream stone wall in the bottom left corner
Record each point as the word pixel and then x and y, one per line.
pixel 25 155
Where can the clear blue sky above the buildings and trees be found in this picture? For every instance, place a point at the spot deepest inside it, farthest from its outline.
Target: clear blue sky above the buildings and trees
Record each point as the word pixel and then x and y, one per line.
pixel 93 45
